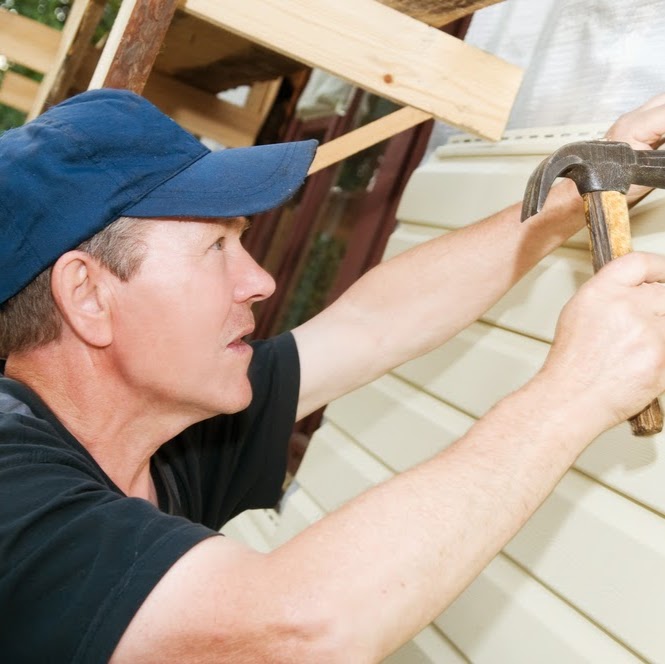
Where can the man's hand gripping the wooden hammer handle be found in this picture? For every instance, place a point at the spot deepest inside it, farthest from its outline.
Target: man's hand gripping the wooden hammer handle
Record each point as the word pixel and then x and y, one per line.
pixel 609 347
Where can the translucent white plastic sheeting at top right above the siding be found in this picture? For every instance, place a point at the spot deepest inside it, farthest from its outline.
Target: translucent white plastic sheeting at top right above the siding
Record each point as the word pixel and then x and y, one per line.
pixel 585 61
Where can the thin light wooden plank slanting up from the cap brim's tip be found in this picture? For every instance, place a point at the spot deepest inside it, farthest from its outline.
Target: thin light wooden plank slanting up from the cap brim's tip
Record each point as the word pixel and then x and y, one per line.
pixel 366 136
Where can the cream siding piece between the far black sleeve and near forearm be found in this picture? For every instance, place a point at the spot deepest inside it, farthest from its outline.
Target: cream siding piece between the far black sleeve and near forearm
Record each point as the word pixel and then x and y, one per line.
pixel 335 469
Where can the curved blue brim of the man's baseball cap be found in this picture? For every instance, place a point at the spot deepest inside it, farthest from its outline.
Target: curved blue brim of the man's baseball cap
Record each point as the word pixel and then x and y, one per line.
pixel 234 182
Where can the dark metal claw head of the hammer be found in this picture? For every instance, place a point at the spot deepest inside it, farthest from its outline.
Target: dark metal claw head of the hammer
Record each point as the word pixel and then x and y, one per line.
pixel 594 166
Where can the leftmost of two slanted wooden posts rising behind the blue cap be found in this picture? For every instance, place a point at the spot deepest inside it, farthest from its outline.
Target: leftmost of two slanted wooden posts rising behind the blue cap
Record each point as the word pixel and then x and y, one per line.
pixel 82 21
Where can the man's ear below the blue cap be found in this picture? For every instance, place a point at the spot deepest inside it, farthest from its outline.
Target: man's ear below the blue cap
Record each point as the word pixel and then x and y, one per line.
pixel 81 292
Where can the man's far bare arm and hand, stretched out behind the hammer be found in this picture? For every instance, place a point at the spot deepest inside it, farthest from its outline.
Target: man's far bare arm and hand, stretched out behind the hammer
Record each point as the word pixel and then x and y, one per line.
pixel 416 301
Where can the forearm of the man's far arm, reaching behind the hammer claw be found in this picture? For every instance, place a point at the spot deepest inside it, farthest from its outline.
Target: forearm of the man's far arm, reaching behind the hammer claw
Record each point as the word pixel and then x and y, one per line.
pixel 435 290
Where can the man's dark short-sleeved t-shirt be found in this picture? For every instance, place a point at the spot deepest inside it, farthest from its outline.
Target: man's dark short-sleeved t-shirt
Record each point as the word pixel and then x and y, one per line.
pixel 77 556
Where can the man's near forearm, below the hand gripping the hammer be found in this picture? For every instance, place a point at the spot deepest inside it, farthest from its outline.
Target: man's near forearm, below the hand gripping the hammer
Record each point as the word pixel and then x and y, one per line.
pixel 404 550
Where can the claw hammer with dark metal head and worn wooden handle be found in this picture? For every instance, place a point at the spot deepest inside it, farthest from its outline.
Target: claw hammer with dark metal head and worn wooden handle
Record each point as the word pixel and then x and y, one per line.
pixel 603 171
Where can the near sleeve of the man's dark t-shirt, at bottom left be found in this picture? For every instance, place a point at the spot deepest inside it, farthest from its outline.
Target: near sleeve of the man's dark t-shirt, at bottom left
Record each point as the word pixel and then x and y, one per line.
pixel 77 558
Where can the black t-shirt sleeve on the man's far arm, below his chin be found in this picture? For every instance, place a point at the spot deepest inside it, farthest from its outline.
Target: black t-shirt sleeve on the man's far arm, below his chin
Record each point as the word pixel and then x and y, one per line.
pixel 227 464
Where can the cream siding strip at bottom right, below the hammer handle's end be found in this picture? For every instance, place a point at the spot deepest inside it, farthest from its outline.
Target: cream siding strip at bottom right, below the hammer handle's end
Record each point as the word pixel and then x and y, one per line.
pixel 606 555
